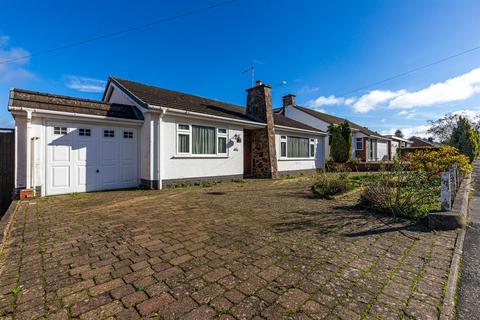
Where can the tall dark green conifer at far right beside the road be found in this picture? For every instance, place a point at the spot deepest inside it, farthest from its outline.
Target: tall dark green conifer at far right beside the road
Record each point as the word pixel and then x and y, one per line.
pixel 465 138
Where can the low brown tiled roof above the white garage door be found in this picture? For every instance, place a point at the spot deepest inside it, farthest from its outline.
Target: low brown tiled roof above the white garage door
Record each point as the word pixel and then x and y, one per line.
pixel 46 101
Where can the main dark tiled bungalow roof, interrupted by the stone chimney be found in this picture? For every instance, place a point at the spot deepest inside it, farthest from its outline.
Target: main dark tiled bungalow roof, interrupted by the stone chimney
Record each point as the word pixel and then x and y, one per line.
pixel 151 95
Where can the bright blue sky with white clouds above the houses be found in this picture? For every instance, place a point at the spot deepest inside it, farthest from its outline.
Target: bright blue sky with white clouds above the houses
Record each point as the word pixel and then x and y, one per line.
pixel 320 49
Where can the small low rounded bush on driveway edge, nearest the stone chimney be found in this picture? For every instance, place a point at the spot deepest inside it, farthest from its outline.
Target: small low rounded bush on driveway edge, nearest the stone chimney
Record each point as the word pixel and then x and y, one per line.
pixel 331 184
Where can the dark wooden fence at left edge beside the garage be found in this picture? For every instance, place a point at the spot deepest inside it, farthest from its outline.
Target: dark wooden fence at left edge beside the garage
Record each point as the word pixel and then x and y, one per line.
pixel 7 165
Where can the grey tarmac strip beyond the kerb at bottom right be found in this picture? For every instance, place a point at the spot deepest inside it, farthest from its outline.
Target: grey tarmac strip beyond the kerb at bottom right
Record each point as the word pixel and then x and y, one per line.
pixel 469 289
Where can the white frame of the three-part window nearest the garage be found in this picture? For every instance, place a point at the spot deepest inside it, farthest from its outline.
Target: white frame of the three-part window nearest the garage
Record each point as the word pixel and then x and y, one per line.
pixel 181 131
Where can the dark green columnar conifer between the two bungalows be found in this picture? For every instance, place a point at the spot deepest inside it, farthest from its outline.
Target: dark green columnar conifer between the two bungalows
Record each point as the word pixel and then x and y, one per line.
pixel 340 141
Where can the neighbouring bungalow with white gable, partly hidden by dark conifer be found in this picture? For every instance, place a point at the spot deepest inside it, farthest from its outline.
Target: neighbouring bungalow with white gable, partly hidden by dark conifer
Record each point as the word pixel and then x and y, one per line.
pixel 367 145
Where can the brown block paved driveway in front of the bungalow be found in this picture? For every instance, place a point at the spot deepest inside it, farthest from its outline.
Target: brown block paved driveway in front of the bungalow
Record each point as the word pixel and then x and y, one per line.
pixel 254 250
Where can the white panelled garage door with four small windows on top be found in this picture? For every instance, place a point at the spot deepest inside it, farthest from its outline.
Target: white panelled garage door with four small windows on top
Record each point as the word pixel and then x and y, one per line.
pixel 83 158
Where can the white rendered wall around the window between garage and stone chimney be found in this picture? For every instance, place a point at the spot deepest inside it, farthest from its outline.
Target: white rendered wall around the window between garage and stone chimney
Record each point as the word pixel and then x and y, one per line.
pixel 175 166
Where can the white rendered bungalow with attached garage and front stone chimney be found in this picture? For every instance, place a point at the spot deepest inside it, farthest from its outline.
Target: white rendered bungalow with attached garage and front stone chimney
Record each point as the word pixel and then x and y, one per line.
pixel 141 135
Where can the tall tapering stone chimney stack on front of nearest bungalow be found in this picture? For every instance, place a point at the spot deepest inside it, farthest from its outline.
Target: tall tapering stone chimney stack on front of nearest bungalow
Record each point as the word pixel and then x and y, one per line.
pixel 264 155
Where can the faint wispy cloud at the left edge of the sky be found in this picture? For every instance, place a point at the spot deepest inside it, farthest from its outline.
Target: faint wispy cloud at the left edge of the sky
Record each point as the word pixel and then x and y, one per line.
pixel 13 71
